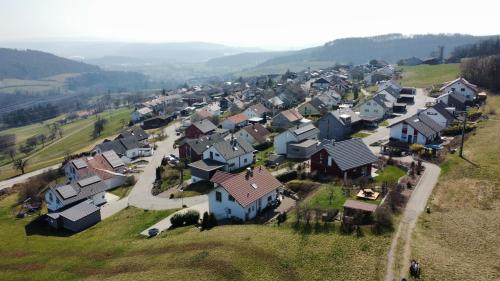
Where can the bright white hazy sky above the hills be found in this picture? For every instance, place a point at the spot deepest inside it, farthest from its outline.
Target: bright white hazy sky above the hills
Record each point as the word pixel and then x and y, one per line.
pixel 255 23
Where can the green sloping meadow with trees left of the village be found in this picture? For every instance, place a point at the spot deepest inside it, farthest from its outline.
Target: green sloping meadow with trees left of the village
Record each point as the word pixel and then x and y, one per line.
pixel 77 138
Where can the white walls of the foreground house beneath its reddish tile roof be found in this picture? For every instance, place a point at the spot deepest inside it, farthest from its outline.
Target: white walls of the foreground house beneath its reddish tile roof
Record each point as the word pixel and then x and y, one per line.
pixel 226 208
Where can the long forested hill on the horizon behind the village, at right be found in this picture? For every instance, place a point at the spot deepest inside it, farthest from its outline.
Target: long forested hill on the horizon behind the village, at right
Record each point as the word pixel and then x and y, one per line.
pixel 390 47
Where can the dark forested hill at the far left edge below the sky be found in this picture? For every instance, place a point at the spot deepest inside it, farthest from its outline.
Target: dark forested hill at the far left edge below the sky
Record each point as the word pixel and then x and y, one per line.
pixel 29 64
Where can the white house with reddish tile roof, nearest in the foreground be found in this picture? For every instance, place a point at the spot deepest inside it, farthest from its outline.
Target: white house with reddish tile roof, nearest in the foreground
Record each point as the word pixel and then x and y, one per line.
pixel 242 195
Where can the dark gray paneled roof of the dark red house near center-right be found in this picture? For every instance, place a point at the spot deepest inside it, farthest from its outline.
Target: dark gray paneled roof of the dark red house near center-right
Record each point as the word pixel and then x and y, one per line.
pixel 349 154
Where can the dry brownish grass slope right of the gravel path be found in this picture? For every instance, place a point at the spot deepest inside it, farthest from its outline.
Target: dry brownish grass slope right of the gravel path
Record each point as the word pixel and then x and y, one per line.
pixel 459 239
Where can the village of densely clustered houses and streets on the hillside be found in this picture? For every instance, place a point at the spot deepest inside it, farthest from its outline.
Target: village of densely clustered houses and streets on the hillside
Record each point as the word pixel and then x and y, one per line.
pixel 245 138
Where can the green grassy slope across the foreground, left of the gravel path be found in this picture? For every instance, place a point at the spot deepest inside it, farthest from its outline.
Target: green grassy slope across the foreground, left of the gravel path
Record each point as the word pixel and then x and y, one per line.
pixel 113 250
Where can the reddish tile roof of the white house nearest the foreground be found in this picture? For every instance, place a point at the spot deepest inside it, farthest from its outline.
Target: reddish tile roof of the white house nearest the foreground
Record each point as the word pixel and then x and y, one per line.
pixel 247 189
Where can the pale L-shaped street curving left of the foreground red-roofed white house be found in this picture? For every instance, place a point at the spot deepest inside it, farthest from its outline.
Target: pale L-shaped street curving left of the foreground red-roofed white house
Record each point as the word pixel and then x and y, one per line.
pixel 141 196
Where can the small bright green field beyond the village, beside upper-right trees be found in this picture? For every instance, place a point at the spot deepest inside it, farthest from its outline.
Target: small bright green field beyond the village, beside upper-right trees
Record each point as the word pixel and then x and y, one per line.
pixel 424 76
